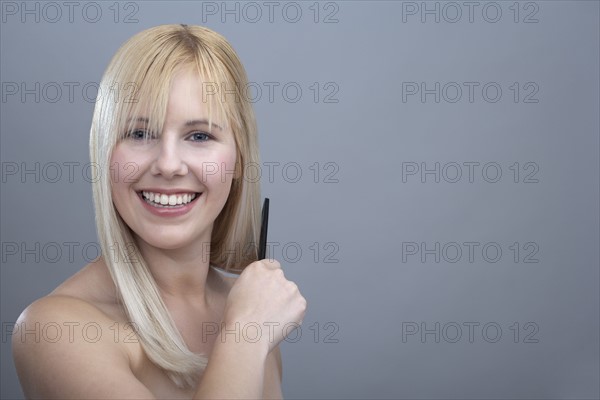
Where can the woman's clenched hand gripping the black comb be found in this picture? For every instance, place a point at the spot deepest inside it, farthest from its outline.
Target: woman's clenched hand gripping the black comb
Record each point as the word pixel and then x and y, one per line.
pixel 262 300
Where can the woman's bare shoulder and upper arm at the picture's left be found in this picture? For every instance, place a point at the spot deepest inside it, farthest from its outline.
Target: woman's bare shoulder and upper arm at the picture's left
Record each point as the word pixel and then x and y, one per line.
pixel 64 347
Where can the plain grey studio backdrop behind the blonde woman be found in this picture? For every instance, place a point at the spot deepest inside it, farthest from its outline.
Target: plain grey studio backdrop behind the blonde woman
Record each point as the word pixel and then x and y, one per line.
pixel 360 211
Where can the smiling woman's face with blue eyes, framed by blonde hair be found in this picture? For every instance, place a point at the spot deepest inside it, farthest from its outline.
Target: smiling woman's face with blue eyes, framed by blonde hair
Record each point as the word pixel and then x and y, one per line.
pixel 170 186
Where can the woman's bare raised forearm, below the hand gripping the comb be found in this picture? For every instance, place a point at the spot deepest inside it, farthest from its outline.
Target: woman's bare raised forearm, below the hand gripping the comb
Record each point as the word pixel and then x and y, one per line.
pixel 235 371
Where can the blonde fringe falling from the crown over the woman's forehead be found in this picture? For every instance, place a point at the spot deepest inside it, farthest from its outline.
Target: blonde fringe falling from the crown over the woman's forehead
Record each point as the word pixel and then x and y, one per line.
pixel 145 76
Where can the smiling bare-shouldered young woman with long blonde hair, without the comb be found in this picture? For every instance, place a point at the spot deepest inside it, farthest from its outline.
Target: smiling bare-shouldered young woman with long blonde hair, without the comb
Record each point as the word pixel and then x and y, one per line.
pixel 156 316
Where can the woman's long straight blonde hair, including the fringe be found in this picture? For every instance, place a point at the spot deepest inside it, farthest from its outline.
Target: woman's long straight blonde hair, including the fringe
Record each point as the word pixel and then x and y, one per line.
pixel 138 79
